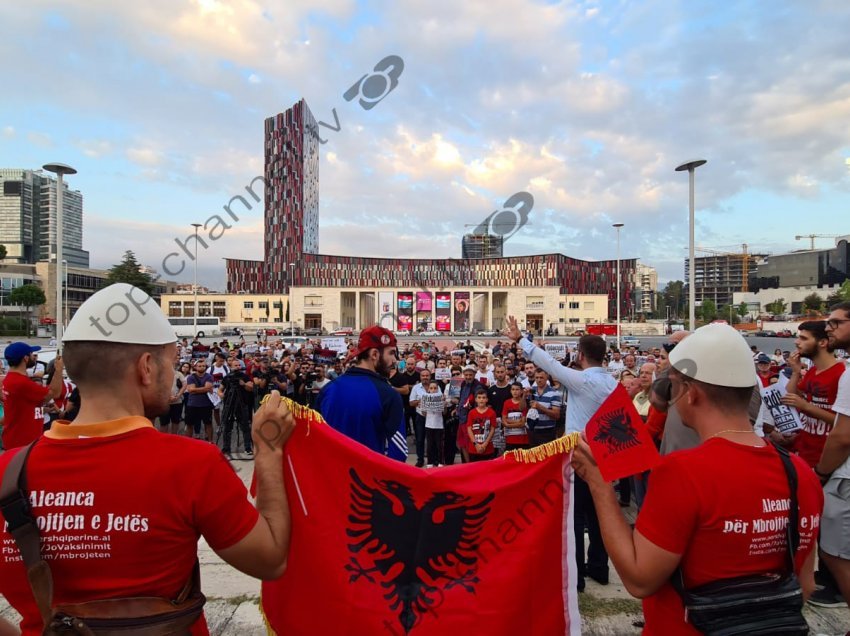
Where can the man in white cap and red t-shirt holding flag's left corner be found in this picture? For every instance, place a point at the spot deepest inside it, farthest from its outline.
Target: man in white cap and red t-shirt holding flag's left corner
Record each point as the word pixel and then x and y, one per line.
pixel 120 505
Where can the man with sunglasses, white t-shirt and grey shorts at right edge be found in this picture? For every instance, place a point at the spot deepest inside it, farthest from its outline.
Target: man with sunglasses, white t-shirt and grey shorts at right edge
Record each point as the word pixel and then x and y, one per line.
pixel 834 465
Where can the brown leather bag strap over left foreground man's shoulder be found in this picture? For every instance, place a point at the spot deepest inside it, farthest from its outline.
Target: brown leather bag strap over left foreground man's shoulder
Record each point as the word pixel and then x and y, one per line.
pixel 22 526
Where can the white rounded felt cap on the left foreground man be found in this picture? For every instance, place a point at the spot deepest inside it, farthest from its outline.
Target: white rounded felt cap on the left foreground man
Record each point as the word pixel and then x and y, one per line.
pixel 120 313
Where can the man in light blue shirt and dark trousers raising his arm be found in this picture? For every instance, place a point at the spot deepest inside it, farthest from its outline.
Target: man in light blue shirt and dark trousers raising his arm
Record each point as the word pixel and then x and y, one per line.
pixel 587 390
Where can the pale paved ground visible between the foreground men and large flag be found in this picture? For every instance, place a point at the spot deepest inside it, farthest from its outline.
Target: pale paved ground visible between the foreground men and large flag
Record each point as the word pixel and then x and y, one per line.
pixel 609 610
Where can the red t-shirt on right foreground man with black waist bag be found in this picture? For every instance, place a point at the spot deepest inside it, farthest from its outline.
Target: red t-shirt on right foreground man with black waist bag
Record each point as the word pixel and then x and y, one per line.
pixel 724 507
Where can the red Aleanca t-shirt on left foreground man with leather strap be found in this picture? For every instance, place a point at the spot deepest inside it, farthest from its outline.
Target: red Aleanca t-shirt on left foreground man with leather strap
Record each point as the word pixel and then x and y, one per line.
pixel 121 516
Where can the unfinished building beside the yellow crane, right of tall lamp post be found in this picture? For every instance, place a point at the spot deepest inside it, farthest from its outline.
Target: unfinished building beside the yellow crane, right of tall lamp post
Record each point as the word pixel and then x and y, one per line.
pixel 718 275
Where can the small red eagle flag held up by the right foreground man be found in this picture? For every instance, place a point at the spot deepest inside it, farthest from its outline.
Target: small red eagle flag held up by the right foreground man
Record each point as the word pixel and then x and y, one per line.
pixel 620 442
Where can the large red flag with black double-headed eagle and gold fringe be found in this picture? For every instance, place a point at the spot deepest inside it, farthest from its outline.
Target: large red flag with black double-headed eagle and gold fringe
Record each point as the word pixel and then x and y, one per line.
pixel 379 547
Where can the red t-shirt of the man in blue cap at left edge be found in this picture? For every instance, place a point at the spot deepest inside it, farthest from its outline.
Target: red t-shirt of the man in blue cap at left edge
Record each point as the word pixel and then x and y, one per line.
pixel 23 401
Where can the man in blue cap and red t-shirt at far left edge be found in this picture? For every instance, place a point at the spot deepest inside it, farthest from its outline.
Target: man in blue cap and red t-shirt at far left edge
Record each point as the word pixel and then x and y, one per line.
pixel 23 399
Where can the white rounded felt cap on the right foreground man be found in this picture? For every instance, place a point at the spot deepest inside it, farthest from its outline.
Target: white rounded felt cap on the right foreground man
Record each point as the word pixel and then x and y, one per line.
pixel 715 354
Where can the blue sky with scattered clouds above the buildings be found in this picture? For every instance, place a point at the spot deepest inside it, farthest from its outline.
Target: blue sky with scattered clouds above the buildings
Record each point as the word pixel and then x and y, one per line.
pixel 587 105
